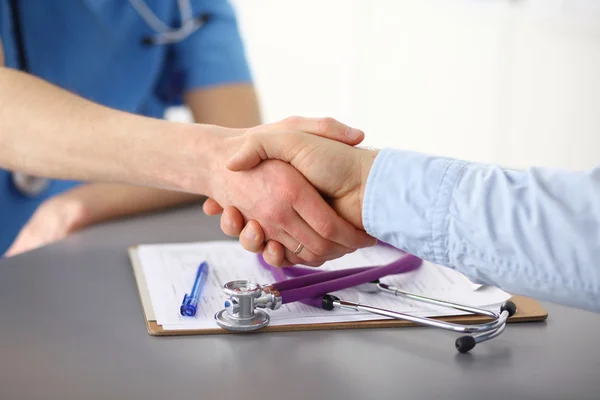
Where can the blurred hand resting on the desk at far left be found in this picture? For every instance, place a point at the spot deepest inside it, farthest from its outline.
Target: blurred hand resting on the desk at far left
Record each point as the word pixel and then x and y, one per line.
pixel 53 220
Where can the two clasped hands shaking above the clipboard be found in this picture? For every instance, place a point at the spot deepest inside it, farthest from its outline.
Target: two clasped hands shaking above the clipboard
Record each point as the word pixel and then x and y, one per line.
pixel 293 190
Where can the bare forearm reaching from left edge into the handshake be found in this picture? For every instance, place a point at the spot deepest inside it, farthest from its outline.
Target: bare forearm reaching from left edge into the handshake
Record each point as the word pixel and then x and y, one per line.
pixel 47 131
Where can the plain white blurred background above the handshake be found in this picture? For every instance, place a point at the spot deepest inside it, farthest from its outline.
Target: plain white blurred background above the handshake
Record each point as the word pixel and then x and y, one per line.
pixel 515 82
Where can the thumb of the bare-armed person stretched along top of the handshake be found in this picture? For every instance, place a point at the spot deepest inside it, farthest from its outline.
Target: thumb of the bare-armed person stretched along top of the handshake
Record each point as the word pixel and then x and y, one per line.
pixel 329 128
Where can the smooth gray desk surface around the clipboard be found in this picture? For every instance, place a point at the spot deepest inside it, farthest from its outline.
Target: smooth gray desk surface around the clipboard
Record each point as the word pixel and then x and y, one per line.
pixel 71 327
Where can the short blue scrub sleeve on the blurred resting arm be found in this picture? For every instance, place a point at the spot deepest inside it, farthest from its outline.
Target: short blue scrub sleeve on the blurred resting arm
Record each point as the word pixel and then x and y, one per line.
pixel 215 53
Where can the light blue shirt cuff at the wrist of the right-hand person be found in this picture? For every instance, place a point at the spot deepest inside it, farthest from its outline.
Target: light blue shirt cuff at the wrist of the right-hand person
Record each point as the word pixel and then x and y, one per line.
pixel 406 201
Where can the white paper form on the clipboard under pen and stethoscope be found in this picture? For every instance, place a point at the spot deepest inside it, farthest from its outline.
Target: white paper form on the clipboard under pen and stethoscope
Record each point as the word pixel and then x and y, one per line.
pixel 170 271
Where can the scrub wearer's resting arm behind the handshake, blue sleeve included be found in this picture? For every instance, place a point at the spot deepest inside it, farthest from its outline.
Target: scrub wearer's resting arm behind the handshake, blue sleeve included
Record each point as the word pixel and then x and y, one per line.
pixel 227 98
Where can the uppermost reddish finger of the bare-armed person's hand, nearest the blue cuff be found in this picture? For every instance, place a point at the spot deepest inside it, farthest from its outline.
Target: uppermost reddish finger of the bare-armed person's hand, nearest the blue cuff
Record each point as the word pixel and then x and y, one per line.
pixel 313 209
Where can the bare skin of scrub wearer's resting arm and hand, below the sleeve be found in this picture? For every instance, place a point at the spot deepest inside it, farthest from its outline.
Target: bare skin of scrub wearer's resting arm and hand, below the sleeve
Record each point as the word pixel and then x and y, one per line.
pixel 234 106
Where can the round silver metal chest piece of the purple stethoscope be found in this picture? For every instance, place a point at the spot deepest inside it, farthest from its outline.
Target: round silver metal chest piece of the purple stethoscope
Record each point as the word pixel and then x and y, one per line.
pixel 240 313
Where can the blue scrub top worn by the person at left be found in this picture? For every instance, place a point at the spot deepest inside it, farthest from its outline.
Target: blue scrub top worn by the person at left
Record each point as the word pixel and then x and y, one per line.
pixel 93 48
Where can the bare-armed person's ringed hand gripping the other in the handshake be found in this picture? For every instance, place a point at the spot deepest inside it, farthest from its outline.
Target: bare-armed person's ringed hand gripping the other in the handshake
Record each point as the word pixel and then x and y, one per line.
pixel 287 207
